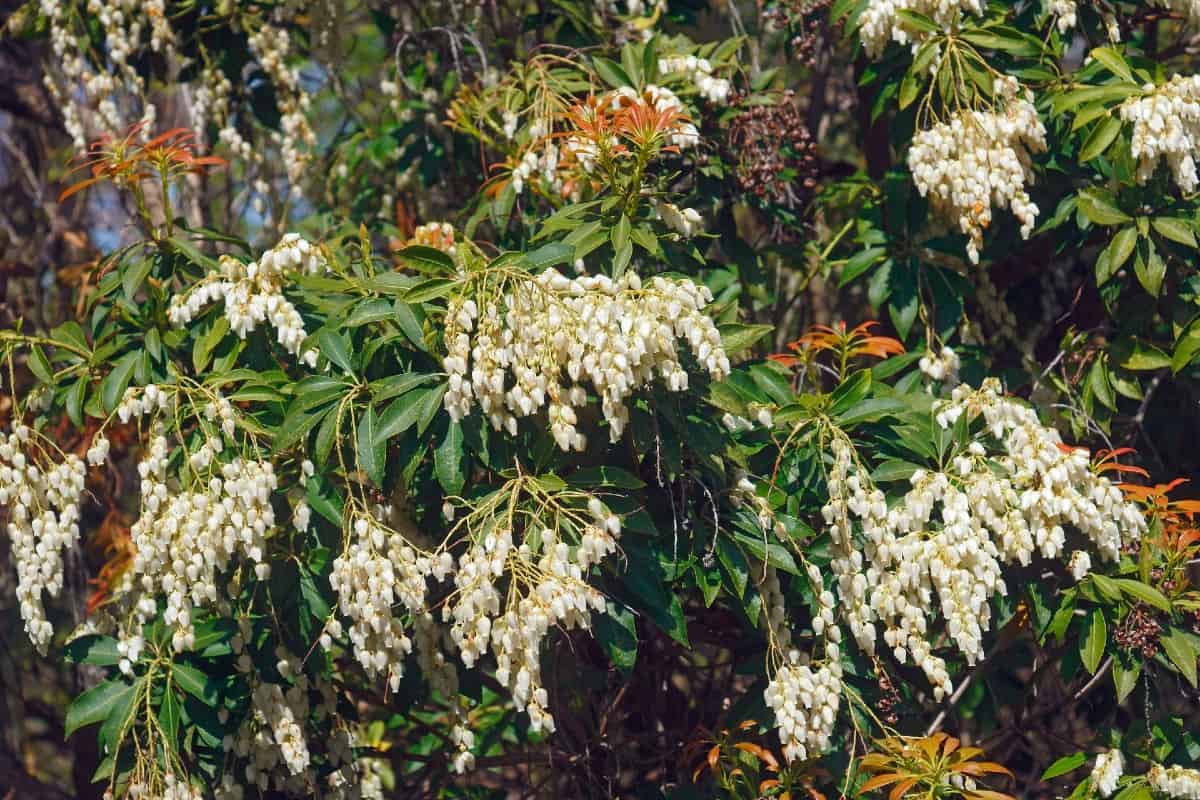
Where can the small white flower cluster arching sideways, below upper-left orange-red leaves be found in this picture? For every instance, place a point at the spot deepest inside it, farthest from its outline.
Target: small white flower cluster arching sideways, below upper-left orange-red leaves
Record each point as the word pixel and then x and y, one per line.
pixel 254 293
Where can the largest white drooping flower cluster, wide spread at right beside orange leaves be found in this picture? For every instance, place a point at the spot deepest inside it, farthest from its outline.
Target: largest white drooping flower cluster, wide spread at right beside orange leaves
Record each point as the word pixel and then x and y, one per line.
pixel 1012 492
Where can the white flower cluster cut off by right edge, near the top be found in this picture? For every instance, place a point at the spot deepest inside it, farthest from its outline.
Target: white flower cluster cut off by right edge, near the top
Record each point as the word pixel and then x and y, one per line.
pixel 1167 125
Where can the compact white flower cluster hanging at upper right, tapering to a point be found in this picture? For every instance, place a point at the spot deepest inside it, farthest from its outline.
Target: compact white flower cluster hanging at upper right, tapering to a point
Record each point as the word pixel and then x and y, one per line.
pixel 980 160
